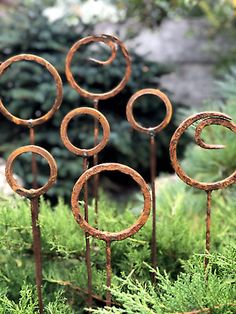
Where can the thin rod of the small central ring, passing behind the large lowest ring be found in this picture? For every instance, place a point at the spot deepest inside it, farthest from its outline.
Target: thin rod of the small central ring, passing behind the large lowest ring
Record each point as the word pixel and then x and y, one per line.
pixel 87 241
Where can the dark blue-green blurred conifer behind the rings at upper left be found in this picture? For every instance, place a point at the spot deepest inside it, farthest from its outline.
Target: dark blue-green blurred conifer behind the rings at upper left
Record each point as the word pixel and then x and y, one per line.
pixel 28 91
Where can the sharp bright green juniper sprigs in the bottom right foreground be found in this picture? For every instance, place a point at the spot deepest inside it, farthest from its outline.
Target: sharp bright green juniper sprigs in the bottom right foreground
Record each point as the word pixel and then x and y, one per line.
pixel 189 292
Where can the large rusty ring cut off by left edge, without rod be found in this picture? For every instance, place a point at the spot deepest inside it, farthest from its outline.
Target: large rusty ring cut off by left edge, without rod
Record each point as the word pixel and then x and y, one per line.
pixel 59 87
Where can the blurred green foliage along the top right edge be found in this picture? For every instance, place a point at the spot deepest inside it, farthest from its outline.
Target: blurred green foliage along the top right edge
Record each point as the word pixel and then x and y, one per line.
pixel 220 13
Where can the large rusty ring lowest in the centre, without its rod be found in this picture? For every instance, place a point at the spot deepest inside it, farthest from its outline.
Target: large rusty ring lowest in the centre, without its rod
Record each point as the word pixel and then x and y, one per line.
pixel 104 235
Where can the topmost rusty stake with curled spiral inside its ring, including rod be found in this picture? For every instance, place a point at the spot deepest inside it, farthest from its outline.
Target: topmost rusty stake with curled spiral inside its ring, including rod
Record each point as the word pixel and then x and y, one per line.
pixel 113 43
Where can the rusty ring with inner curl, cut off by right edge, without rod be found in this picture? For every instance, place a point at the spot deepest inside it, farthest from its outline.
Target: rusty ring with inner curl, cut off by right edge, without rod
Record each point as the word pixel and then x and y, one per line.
pixel 207 118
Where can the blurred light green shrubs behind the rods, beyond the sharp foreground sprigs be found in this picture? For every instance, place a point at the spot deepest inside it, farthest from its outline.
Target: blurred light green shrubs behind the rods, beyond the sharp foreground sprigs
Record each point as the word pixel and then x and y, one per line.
pixel 180 234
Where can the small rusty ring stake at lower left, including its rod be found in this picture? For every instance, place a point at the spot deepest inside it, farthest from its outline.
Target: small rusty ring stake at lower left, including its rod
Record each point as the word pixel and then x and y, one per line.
pixel 33 195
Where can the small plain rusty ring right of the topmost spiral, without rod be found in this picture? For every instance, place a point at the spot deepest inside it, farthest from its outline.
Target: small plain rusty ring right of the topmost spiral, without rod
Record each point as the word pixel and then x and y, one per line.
pixel 137 126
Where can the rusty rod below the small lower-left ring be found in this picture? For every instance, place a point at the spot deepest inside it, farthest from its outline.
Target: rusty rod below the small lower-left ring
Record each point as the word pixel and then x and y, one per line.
pixel 37 250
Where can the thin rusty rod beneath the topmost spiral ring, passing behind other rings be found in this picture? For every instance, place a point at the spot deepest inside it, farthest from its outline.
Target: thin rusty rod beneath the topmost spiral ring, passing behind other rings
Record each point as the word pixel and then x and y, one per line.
pixel 95 162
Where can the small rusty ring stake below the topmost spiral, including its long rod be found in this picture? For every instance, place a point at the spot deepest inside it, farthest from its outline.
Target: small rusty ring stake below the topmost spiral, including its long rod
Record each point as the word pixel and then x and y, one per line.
pixel 86 153
